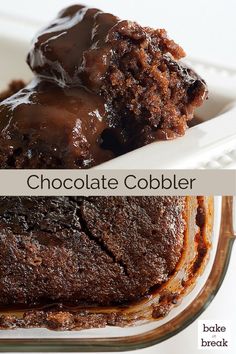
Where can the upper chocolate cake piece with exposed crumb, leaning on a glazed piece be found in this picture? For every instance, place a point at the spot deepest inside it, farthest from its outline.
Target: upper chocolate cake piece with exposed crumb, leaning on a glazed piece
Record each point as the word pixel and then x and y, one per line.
pixel 150 94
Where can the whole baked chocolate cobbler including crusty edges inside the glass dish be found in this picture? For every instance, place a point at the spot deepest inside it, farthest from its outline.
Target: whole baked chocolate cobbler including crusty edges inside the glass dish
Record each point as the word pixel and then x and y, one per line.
pixel 69 262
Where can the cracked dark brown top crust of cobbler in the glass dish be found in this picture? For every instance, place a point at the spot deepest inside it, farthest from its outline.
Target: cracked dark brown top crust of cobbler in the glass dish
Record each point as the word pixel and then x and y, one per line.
pixel 70 242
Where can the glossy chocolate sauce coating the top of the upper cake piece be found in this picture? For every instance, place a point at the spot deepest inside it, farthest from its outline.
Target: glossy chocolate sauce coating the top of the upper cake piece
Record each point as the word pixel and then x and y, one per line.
pixel 74 48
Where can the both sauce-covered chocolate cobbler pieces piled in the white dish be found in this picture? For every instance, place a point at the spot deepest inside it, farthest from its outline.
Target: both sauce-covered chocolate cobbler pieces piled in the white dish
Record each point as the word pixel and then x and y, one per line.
pixel 134 72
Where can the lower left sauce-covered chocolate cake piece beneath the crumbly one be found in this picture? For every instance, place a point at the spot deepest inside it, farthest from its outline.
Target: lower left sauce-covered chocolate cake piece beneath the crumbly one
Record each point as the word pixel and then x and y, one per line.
pixel 46 126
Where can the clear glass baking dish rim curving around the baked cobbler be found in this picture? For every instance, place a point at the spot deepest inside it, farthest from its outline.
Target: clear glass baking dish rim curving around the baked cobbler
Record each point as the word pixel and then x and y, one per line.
pixel 130 338
